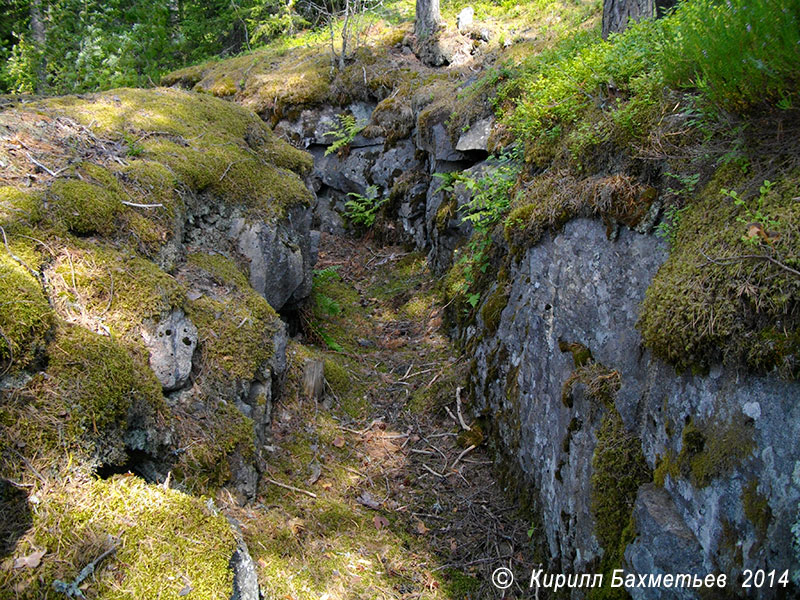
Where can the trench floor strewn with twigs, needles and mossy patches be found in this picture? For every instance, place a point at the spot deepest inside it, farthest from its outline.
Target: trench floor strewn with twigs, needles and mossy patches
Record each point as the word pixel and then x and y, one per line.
pixel 394 497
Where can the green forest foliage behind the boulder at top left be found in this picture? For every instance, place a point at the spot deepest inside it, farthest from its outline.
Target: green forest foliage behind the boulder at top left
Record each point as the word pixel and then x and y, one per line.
pixel 91 45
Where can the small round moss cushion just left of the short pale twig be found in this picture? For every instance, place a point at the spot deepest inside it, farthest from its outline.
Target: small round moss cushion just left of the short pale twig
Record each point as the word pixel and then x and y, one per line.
pixel 85 208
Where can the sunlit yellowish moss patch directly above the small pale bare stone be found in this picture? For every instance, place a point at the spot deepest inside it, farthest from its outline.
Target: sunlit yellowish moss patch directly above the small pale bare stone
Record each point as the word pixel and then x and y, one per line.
pixel 102 286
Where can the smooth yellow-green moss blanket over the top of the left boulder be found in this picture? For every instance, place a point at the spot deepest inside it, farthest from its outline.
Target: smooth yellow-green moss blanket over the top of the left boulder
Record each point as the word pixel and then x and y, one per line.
pixel 236 156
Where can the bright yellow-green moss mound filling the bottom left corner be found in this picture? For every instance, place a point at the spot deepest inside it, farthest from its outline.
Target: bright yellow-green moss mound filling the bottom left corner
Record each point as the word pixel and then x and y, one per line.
pixel 186 543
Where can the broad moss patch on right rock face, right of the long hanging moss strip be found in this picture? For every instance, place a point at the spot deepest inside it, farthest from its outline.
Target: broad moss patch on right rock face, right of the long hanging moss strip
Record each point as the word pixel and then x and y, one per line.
pixel 714 450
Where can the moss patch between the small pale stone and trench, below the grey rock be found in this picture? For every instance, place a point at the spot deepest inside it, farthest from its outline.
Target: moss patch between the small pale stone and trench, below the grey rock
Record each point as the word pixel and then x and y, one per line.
pixel 235 329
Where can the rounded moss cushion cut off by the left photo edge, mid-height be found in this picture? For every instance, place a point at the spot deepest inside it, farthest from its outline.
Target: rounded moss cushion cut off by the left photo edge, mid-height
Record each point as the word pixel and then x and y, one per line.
pixel 25 316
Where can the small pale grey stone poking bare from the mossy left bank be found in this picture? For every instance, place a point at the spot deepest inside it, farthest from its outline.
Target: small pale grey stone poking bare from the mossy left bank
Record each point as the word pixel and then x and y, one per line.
pixel 171 343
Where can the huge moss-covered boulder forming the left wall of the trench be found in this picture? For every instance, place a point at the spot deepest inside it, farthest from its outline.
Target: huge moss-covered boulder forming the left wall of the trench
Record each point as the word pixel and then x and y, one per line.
pixel 120 212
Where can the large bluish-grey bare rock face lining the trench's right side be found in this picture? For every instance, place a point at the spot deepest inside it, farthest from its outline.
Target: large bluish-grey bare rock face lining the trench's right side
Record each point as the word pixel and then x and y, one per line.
pixel 577 286
